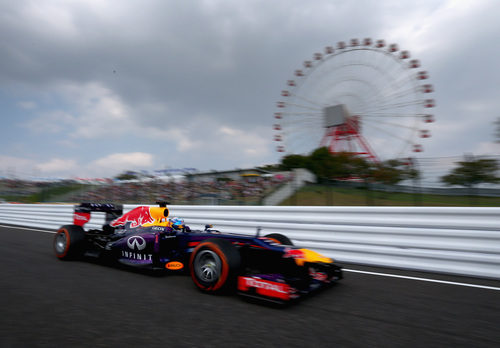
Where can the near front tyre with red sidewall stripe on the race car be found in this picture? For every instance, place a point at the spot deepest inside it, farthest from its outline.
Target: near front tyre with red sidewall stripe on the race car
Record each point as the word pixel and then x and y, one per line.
pixel 214 265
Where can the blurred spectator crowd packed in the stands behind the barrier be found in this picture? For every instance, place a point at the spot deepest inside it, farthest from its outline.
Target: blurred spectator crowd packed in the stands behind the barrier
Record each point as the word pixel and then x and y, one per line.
pixel 244 191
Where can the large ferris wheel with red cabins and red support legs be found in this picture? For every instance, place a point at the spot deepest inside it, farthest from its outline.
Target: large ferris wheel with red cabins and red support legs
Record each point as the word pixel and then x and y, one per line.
pixel 363 97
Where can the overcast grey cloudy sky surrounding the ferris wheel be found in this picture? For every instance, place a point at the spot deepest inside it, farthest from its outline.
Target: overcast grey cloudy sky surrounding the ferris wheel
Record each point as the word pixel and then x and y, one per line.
pixel 90 88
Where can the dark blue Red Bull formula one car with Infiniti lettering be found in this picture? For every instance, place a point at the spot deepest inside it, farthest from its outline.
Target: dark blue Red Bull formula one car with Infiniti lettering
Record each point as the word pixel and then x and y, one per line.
pixel 267 267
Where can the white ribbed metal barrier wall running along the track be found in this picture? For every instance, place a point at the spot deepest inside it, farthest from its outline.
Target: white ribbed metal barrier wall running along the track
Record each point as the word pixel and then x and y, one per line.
pixel 462 241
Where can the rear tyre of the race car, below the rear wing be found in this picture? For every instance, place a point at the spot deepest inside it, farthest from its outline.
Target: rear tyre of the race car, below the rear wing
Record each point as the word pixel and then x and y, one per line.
pixel 69 242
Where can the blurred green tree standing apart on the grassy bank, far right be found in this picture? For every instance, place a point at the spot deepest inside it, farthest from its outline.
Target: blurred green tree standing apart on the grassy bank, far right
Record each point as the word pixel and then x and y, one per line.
pixel 470 173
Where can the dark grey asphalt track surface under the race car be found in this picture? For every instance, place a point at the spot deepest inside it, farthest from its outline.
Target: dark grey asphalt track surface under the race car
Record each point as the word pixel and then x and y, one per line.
pixel 50 303
